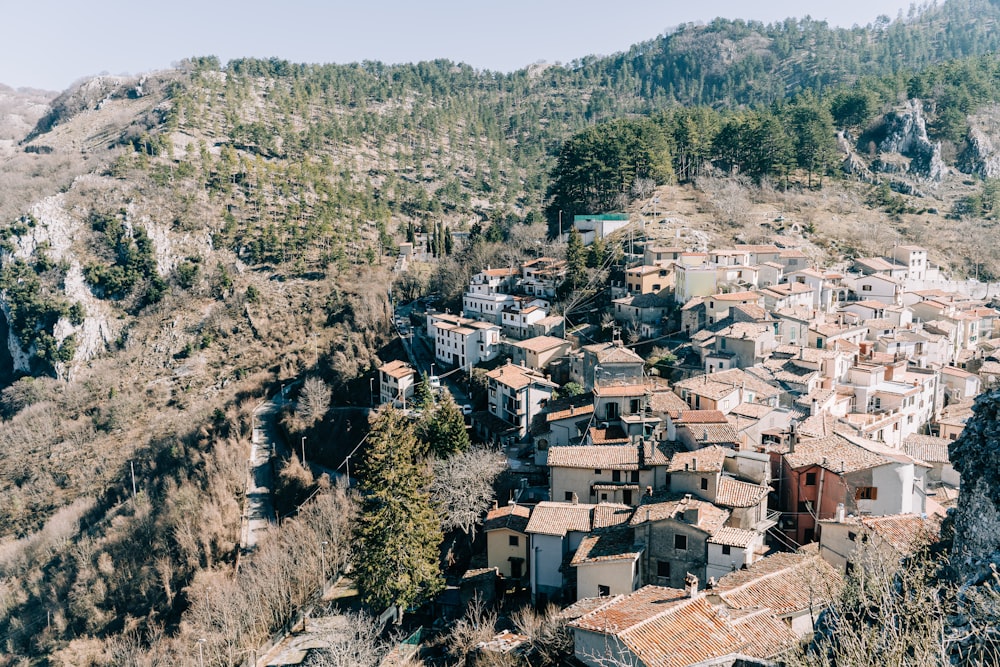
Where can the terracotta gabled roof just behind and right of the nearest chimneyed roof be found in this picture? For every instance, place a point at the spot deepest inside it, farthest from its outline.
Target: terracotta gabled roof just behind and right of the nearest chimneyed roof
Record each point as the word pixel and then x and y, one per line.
pixel 785 583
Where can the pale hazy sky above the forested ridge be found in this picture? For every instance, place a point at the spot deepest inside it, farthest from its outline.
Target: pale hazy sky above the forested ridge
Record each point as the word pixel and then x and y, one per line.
pixel 49 44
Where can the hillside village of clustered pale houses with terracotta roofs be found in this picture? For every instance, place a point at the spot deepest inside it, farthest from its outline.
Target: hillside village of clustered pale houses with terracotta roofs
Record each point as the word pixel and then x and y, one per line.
pixel 711 514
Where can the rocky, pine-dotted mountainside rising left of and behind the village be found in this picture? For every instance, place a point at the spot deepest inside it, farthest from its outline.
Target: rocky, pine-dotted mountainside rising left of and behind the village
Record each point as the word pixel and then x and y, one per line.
pixel 179 245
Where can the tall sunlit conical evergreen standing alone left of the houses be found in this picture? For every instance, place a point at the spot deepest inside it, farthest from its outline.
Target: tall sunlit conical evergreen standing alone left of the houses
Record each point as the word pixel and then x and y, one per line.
pixel 398 539
